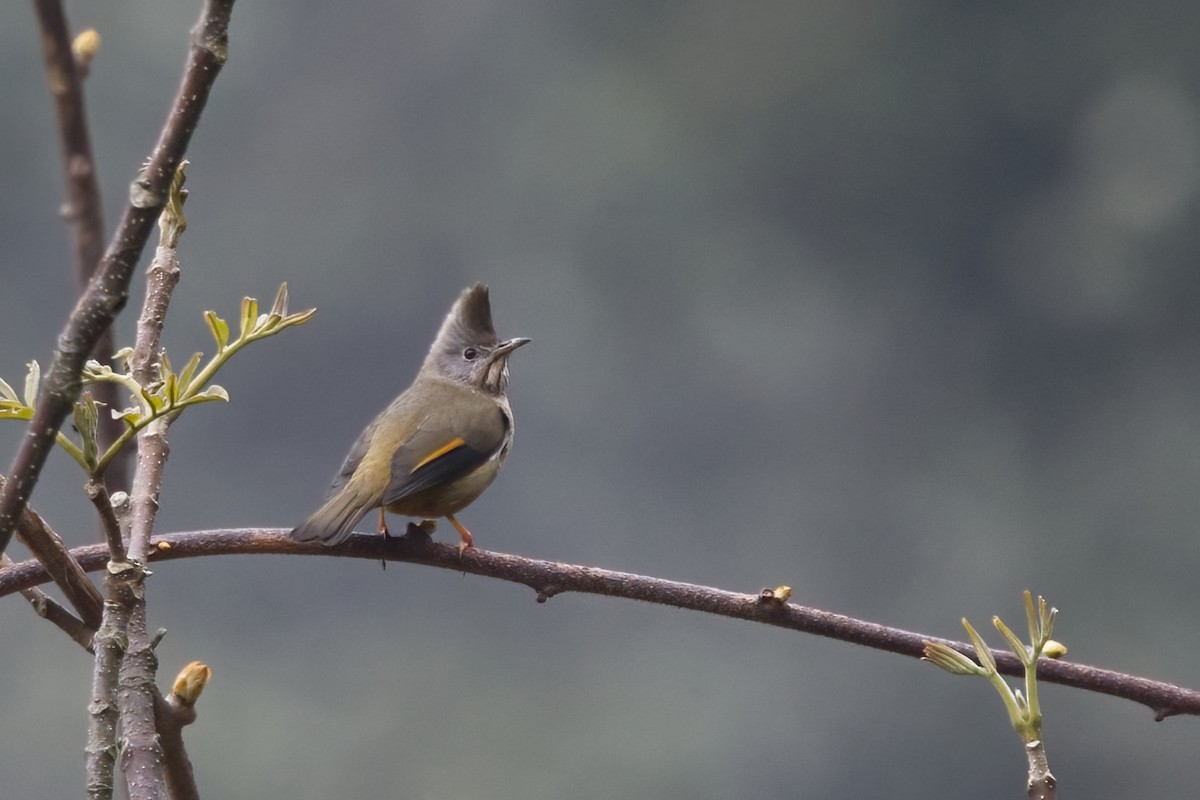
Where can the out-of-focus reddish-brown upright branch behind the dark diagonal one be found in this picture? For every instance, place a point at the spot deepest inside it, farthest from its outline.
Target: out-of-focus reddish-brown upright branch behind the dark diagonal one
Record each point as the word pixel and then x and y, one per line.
pixel 83 209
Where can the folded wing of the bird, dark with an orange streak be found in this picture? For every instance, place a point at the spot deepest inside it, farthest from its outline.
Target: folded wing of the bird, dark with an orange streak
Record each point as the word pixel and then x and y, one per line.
pixel 447 446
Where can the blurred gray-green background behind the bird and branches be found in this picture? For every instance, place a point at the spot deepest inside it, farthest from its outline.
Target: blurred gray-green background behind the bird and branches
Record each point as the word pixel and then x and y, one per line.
pixel 893 303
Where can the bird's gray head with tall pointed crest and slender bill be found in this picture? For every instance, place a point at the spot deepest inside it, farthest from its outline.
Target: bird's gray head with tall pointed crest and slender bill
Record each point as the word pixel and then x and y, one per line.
pixel 467 350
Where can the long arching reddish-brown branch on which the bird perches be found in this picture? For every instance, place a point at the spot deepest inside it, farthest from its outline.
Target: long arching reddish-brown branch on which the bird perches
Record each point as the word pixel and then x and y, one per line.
pixel 549 579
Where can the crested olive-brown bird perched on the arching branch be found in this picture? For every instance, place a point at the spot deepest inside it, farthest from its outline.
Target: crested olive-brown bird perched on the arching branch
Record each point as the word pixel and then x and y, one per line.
pixel 441 443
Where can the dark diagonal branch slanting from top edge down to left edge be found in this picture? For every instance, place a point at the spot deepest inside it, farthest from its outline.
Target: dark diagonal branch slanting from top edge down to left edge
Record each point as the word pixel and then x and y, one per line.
pixel 109 291
